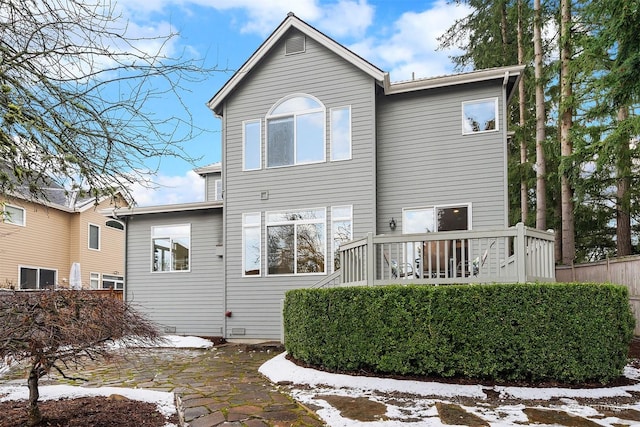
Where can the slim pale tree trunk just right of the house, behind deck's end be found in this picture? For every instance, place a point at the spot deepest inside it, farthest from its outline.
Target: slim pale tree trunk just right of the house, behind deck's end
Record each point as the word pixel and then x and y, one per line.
pixel 541 190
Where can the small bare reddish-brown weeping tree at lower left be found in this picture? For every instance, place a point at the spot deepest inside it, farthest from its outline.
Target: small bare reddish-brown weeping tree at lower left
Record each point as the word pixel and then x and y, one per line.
pixel 56 329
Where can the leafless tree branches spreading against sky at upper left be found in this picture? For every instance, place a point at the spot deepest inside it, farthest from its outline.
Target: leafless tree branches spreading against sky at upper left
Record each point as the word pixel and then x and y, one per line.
pixel 75 89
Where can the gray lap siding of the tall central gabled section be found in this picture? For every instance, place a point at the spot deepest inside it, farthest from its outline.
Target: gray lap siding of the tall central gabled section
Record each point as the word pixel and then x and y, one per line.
pixel 255 301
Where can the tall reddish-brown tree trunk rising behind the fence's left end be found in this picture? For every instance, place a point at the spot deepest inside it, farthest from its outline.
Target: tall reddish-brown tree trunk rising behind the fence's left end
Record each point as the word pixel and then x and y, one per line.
pixel 566 145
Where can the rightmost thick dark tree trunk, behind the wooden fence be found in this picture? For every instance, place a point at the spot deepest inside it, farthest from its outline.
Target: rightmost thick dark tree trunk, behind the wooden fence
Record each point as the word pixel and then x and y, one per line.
pixel 623 191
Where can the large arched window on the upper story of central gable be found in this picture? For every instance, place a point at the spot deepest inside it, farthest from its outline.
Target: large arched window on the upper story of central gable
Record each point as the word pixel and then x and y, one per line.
pixel 295 132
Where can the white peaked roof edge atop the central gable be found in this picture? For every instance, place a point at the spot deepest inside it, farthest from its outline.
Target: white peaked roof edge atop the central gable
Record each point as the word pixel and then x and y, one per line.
pixel 291 21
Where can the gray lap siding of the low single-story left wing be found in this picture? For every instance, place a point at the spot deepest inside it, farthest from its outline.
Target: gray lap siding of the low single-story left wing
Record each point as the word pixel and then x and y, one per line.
pixel 192 302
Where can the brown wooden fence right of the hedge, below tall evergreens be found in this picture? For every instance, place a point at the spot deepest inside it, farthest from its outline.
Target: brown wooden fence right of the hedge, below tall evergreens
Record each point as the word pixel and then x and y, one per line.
pixel 622 271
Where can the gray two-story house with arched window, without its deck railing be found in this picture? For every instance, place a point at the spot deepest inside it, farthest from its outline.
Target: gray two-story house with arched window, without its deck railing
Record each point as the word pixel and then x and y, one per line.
pixel 318 148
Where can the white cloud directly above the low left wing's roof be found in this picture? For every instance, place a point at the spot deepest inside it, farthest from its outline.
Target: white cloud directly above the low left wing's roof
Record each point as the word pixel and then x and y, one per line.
pixel 169 190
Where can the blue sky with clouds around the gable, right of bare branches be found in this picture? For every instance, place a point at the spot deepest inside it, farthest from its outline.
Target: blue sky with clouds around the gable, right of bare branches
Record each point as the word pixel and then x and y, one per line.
pixel 397 36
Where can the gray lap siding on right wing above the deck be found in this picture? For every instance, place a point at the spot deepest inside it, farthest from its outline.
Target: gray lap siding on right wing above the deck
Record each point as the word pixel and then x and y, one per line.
pixel 424 160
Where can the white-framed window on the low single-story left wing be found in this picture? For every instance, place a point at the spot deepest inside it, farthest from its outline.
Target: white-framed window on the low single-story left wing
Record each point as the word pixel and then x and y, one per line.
pixel 171 247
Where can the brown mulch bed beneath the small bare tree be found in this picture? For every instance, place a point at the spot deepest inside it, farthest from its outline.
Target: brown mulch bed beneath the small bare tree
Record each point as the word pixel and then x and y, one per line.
pixel 86 412
